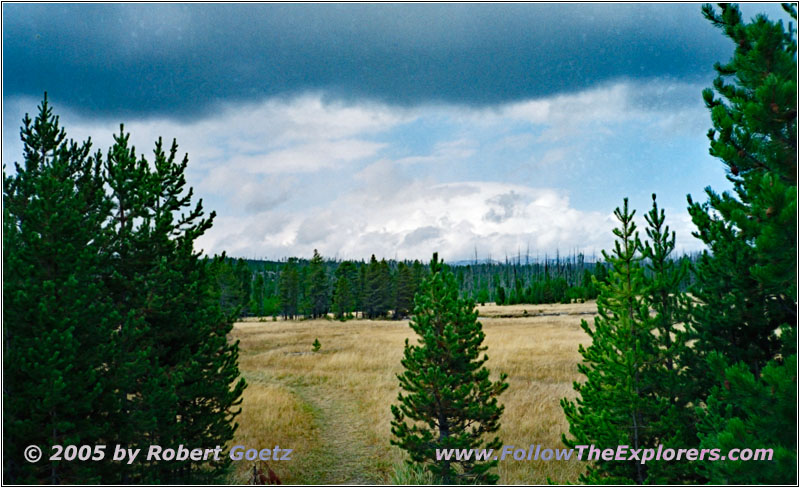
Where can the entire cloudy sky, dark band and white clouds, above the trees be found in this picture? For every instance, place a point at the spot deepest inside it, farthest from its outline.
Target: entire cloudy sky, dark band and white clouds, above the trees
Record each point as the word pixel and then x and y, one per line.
pixel 397 129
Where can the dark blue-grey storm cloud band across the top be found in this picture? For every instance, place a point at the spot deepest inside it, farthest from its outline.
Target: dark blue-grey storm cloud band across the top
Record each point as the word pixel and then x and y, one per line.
pixel 177 60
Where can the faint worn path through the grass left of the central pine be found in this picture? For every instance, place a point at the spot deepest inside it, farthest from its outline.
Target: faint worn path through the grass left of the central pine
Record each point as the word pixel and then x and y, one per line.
pixel 344 454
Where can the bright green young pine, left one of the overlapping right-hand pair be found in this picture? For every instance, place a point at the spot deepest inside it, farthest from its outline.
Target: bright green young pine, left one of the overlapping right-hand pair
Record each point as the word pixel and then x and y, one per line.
pixel 617 404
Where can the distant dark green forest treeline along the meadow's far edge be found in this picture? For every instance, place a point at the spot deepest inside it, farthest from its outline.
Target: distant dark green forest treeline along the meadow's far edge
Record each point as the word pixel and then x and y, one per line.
pixel 303 288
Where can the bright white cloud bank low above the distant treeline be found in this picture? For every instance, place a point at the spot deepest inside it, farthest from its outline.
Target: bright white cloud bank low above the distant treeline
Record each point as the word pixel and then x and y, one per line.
pixel 418 219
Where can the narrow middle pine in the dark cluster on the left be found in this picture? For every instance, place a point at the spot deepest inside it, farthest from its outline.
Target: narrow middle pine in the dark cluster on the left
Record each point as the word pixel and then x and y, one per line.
pixel 140 405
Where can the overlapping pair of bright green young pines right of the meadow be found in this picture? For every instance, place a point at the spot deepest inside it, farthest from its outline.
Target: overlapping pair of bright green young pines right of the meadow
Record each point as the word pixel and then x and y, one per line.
pixel 629 395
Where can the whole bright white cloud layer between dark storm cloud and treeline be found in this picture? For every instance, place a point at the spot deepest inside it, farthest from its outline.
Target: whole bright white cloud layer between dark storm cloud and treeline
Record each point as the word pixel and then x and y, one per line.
pixel 256 161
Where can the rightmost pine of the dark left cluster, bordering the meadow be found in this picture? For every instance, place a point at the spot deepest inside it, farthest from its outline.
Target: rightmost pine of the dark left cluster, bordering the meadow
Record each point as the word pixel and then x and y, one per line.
pixel 190 327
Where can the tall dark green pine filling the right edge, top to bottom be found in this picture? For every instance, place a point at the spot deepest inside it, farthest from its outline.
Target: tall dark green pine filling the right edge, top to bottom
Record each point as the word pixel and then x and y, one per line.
pixel 742 369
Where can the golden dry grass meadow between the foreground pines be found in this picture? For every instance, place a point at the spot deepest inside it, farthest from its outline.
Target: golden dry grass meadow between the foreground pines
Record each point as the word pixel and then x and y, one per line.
pixel 332 406
